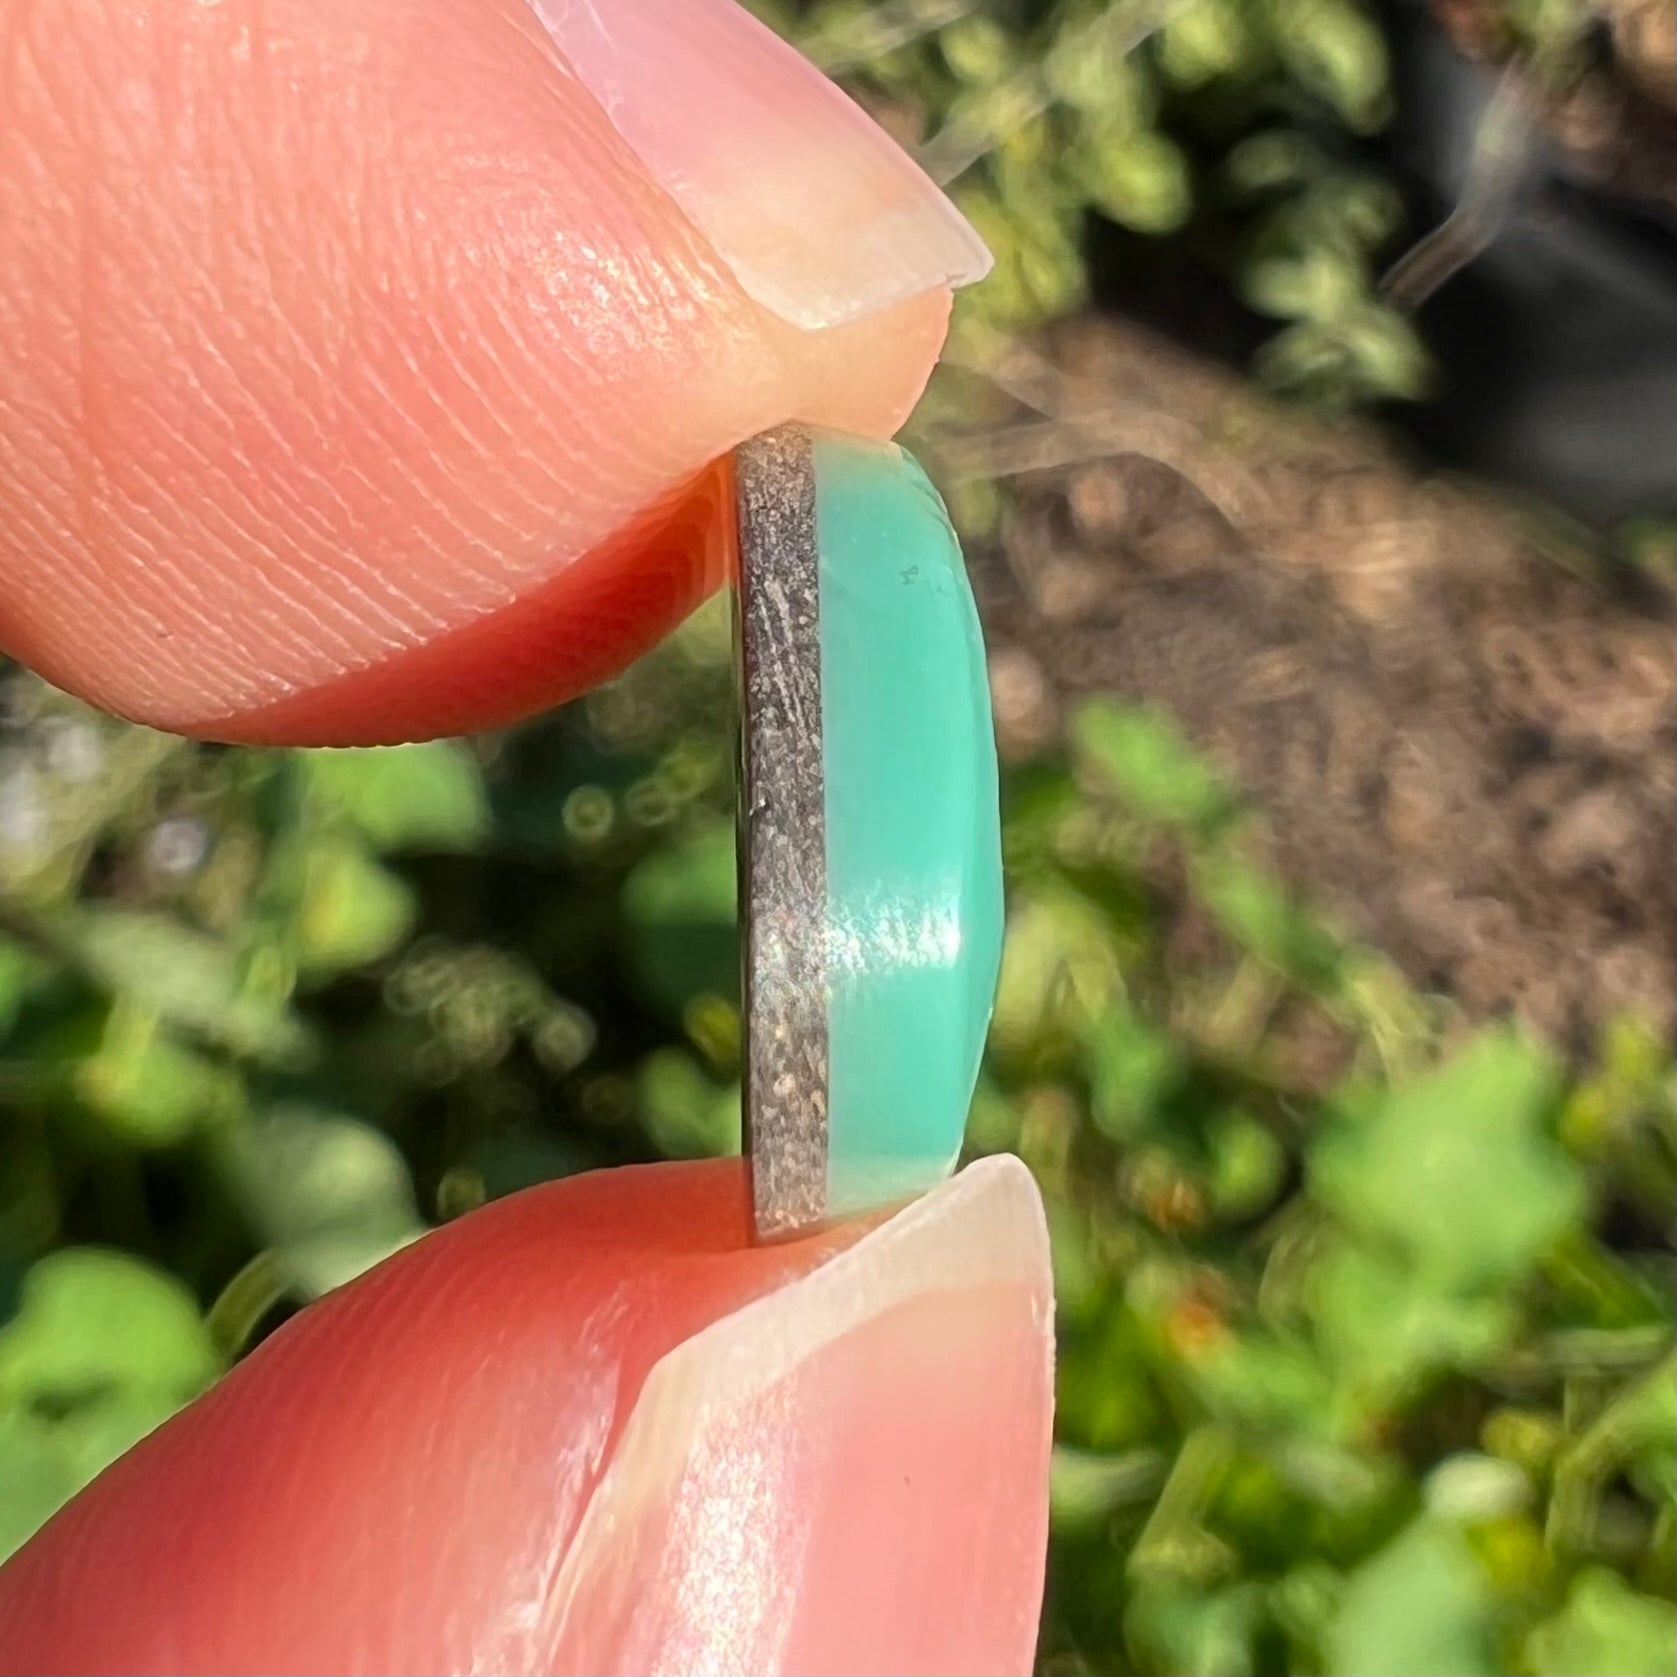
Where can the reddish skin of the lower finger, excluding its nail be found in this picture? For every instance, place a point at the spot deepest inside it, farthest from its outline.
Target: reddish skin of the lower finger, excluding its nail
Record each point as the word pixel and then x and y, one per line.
pixel 390 1482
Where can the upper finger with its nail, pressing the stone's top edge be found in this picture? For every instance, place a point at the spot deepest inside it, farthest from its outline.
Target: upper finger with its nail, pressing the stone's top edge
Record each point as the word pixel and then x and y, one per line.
pixel 361 365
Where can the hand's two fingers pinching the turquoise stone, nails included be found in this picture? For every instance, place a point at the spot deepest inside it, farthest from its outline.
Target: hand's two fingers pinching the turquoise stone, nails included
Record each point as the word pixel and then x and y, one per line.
pixel 365 373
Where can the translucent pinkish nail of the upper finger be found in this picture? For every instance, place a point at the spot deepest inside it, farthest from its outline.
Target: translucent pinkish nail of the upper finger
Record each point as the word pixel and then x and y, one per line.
pixel 818 212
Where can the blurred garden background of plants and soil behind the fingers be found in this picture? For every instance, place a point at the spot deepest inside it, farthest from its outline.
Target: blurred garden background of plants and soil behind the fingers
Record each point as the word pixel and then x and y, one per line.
pixel 1316 445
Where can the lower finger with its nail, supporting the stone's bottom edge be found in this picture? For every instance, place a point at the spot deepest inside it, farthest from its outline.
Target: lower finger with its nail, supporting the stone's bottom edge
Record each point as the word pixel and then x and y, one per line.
pixel 593 1430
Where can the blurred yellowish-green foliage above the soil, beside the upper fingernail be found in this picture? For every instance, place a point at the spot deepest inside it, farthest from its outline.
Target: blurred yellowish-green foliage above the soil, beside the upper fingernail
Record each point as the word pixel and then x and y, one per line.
pixel 1232 128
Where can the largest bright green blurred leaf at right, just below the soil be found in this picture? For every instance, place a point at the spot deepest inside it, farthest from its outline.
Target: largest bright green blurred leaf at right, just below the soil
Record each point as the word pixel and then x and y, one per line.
pixel 1458 1170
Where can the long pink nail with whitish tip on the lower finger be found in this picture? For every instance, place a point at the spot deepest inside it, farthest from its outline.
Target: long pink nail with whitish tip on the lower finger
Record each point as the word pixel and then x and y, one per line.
pixel 846 1475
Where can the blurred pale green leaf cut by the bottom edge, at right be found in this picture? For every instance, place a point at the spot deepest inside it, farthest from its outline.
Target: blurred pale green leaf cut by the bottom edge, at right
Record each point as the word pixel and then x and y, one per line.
pixel 1420 1606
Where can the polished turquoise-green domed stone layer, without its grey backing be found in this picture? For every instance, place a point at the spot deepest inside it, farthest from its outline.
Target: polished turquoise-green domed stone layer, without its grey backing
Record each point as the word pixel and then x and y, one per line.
pixel 913 826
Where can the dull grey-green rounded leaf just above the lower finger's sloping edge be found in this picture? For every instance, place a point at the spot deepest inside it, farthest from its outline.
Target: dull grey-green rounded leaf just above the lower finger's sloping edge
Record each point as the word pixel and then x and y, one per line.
pixel 328 1193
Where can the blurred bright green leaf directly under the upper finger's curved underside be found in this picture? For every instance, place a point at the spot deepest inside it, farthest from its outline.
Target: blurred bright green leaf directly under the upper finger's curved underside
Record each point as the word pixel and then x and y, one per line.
pixel 405 797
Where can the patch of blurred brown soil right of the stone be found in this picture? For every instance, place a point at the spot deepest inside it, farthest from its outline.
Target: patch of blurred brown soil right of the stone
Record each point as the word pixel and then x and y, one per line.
pixel 1460 729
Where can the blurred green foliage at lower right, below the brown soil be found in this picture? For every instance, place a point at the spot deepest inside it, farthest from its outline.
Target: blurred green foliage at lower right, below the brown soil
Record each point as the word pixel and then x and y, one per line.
pixel 1351 1379
